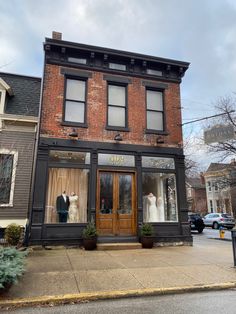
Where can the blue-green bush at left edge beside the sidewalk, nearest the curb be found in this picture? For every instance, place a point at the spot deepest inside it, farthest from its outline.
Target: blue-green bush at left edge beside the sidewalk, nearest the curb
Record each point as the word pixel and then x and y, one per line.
pixel 11 265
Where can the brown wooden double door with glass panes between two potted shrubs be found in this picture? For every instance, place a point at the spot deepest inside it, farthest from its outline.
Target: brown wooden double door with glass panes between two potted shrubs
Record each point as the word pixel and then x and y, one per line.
pixel 116 203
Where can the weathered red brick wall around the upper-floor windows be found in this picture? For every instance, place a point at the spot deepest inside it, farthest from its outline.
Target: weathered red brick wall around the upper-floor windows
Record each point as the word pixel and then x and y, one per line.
pixel 52 110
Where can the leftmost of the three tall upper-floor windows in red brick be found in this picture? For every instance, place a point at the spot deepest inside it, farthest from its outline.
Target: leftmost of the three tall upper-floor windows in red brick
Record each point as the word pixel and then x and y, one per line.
pixel 75 101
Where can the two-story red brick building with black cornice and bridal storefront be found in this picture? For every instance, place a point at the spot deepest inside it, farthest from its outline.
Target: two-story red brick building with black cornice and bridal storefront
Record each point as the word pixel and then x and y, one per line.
pixel 110 143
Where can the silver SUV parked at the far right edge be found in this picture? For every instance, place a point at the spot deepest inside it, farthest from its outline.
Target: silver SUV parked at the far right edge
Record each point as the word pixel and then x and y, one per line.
pixel 215 220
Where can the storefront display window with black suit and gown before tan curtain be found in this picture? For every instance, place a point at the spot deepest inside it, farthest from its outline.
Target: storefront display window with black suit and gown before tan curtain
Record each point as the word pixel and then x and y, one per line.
pixel 67 195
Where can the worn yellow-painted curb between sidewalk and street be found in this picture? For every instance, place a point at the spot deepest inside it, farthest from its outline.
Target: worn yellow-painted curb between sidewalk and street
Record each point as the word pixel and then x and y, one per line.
pixel 106 295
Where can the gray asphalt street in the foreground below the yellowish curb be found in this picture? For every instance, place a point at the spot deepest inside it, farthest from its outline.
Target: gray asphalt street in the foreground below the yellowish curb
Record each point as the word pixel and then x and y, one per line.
pixel 194 303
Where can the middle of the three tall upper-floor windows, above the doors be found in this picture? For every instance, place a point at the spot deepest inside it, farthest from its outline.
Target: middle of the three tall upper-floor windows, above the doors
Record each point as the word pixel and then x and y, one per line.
pixel 117 116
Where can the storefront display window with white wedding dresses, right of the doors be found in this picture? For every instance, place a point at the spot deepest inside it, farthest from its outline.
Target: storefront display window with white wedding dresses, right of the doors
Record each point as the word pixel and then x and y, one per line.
pixel 159 197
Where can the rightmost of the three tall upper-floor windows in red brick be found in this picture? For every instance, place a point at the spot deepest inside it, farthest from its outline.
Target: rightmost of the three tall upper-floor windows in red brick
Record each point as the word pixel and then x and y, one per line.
pixel 155 110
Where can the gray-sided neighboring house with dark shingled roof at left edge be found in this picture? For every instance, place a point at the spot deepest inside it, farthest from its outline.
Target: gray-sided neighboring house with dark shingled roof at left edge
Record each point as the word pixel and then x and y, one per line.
pixel 19 109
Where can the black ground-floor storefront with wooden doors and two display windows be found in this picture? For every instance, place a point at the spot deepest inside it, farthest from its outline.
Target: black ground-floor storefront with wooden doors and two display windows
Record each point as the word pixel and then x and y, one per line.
pixel 113 182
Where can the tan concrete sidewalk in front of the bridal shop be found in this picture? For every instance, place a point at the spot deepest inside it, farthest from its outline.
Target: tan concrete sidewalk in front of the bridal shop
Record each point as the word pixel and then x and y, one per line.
pixel 59 272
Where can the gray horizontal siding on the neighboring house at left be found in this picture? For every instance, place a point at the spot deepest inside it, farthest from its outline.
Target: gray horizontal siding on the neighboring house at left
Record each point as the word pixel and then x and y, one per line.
pixel 23 143
